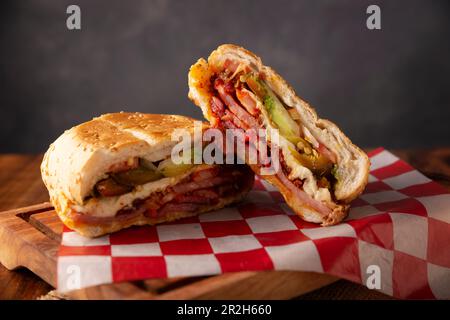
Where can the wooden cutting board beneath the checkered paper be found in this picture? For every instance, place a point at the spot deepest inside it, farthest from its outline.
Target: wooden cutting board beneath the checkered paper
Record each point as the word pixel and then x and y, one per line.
pixel 30 237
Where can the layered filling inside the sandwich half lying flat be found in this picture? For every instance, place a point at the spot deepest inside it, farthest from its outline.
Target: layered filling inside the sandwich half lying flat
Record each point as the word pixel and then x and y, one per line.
pixel 192 189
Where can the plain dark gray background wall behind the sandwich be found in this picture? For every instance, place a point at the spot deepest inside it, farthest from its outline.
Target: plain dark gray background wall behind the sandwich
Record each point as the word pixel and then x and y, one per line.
pixel 387 87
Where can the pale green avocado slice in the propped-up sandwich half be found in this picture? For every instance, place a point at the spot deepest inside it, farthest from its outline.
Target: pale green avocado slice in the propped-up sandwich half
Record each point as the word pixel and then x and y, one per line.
pixel 277 112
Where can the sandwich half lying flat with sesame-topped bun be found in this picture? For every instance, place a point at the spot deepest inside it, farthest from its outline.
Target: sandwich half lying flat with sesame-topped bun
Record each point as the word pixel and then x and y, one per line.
pixel 116 171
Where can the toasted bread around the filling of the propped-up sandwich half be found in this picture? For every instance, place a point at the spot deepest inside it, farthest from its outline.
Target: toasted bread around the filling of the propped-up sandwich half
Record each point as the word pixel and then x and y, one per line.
pixel 353 163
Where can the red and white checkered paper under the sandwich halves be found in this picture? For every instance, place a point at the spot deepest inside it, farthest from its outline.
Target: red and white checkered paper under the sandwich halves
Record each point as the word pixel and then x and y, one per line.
pixel 401 223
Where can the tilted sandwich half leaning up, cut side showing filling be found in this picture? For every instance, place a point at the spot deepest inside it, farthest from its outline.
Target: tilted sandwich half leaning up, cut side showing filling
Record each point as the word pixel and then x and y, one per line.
pixel 321 171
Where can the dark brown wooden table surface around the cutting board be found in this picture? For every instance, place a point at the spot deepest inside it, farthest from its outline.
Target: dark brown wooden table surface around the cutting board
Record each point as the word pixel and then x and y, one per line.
pixel 21 185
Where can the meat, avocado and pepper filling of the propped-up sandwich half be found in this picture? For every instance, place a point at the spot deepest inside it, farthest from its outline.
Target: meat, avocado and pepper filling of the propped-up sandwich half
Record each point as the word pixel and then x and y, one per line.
pixel 241 98
